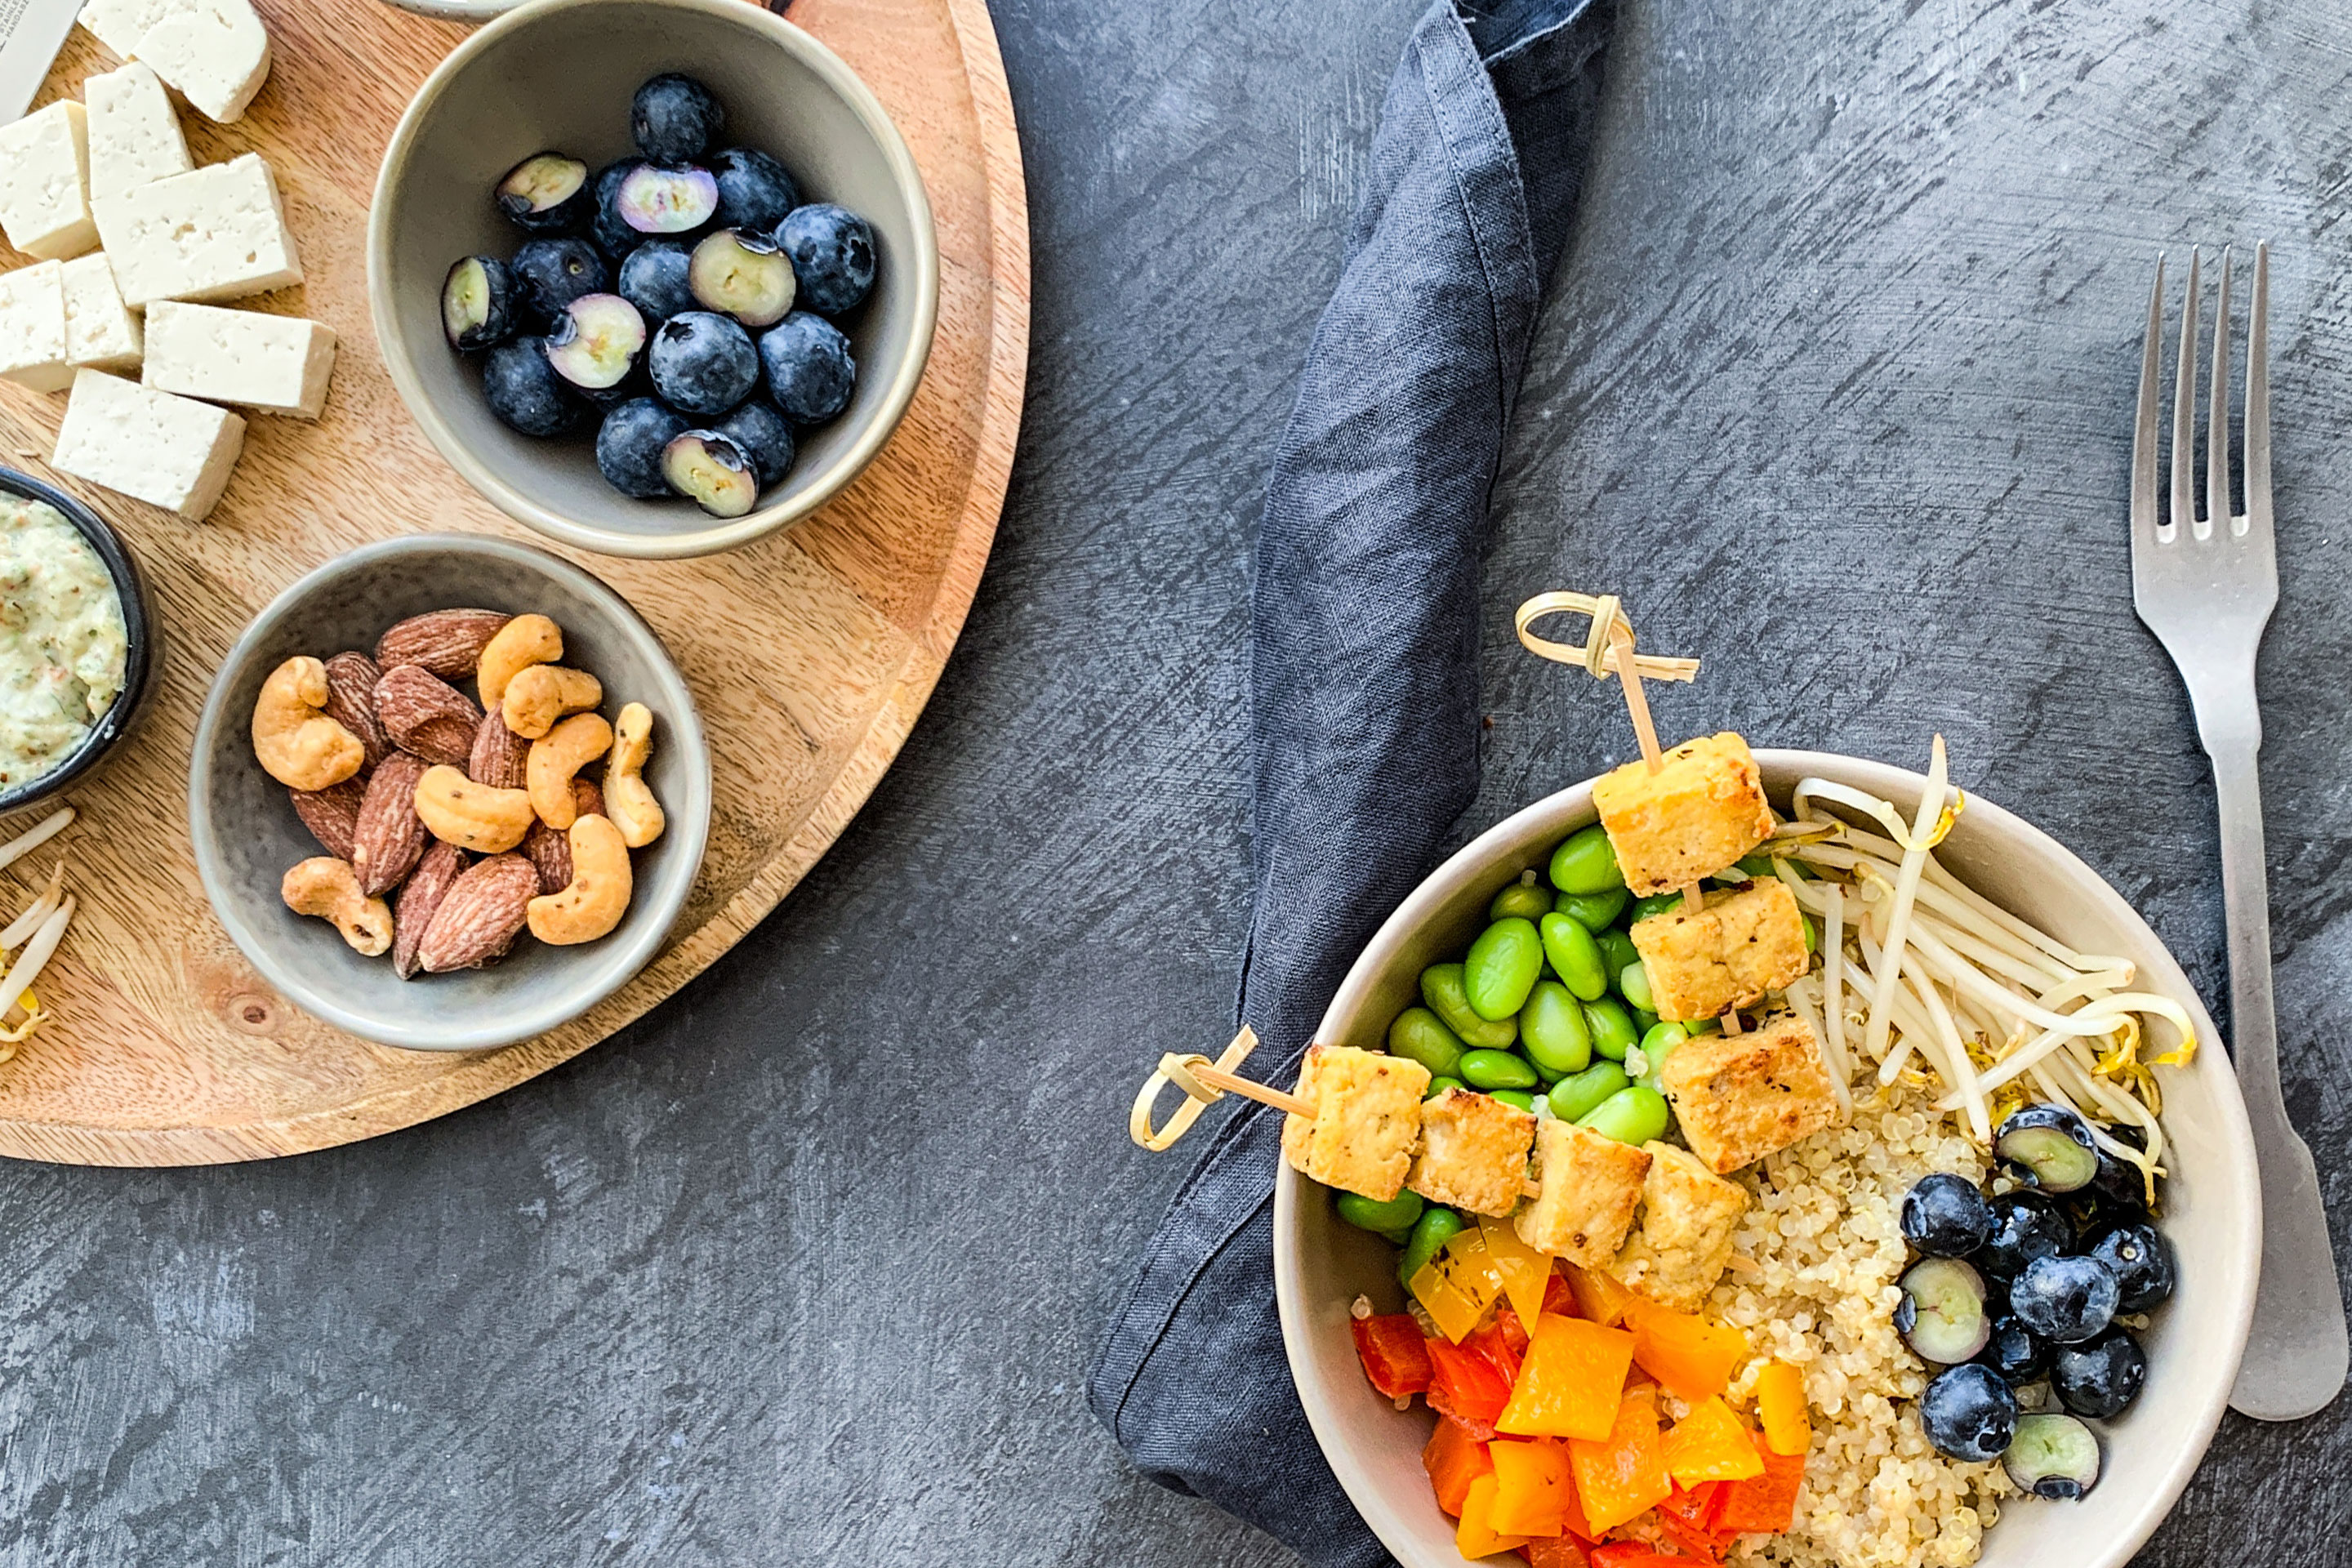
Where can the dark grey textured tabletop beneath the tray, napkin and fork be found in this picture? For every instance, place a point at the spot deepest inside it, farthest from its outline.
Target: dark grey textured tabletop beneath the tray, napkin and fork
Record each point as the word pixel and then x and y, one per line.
pixel 810 1266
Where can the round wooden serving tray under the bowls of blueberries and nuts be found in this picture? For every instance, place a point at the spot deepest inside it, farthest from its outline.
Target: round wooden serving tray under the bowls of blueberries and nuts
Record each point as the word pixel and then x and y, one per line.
pixel 810 655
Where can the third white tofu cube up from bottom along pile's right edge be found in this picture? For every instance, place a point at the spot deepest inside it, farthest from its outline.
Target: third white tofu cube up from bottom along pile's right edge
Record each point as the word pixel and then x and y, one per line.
pixel 208 234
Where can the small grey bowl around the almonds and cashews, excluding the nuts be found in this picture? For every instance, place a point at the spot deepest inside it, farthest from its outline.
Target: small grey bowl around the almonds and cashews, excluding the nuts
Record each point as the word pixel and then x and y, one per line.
pixel 248 836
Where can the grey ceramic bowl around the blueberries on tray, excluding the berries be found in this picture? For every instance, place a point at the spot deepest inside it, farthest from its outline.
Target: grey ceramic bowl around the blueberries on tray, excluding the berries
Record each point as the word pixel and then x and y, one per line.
pixel 561 74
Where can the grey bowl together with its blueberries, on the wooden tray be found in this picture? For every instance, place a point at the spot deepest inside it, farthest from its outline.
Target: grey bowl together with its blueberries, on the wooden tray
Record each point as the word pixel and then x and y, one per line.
pixel 655 276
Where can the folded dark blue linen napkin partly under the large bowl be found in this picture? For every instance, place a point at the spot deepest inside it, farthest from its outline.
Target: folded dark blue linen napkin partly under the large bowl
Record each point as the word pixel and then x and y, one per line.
pixel 1363 690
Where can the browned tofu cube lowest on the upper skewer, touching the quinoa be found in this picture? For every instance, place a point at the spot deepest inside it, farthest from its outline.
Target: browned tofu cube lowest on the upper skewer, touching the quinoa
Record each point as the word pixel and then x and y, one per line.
pixel 1746 1097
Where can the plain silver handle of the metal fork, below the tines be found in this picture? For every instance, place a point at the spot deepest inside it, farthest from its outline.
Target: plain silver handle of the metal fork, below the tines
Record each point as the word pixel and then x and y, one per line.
pixel 2297 1353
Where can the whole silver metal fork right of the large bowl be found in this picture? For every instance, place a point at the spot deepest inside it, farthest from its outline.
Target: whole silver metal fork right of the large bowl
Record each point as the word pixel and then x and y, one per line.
pixel 2205 587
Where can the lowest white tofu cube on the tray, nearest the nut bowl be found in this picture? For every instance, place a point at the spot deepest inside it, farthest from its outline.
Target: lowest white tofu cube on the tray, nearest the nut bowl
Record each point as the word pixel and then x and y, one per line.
pixel 163 450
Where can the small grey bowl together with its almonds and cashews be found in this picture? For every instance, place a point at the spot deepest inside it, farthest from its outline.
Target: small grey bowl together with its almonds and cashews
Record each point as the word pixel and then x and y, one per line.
pixel 448 793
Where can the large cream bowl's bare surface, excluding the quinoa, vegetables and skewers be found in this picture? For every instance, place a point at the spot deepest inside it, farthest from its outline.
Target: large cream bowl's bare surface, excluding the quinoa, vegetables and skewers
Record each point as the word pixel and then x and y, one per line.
pixel 2212 1202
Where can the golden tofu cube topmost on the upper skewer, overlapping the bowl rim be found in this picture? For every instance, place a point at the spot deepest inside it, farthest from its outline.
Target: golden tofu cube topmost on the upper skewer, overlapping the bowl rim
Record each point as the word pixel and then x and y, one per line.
pixel 1690 819
